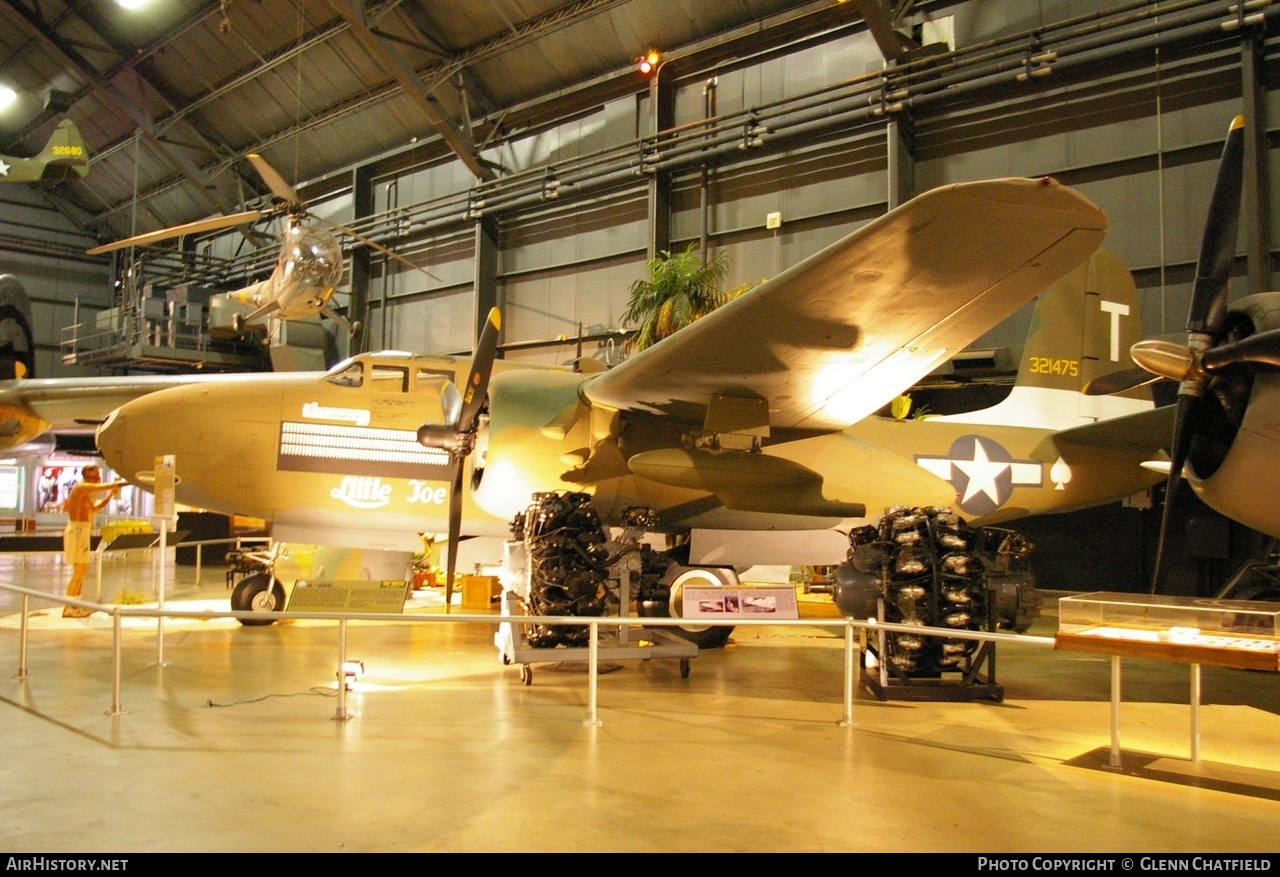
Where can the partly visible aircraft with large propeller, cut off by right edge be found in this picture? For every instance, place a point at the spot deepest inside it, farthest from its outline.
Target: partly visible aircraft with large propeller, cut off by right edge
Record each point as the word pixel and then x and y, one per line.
pixel 1227 435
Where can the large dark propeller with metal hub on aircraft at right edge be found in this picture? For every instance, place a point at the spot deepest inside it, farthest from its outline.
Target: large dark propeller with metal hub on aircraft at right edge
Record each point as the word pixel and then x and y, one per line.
pixel 1190 366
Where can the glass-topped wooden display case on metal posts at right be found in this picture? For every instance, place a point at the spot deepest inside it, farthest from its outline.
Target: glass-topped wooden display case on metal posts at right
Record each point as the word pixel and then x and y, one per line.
pixel 1194 631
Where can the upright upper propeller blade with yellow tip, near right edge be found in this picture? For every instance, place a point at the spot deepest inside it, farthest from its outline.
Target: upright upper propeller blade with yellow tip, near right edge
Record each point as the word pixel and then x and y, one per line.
pixel 1218 246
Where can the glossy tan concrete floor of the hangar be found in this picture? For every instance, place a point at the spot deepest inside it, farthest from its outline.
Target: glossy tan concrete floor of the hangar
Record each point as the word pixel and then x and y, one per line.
pixel 232 746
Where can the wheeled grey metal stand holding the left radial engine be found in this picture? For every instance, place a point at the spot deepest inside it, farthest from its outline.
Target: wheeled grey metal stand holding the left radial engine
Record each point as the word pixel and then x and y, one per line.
pixel 620 643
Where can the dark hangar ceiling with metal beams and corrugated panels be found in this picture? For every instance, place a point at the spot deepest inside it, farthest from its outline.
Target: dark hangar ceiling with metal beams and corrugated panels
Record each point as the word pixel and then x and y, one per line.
pixel 171 97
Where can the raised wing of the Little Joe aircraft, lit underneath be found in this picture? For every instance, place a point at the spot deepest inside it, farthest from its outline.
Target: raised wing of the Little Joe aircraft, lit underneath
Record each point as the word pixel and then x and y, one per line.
pixel 836 337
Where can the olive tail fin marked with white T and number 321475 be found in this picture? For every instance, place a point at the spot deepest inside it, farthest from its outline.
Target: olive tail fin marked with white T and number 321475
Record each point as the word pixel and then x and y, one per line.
pixel 1082 330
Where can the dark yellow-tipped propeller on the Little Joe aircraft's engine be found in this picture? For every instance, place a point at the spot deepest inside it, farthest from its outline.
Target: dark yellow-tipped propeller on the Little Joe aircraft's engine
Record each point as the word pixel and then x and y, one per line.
pixel 458 436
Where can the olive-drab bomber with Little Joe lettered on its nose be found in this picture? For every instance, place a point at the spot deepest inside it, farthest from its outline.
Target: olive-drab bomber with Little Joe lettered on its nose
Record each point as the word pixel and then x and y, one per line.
pixel 758 419
